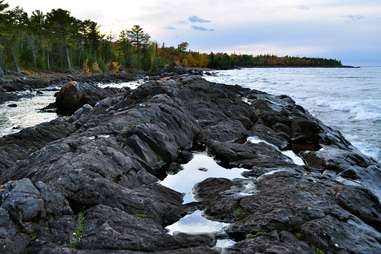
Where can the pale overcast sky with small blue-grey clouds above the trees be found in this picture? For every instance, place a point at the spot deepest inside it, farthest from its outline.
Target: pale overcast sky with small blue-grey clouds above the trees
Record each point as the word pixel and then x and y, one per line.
pixel 349 30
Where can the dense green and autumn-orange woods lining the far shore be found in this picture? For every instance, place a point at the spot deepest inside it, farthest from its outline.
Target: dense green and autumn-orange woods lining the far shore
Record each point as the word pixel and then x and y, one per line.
pixel 57 41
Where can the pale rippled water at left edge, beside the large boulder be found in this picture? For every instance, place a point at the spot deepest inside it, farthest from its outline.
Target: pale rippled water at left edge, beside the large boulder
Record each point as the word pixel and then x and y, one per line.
pixel 26 114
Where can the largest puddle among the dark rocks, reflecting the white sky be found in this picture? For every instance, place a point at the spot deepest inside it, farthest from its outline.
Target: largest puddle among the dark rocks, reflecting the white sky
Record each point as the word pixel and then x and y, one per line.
pixel 197 170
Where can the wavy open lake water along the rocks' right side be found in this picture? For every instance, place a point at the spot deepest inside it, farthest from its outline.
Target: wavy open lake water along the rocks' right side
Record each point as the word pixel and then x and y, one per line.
pixel 346 99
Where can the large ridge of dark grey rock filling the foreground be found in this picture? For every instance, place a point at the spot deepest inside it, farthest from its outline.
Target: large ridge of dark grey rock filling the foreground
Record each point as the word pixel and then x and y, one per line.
pixel 91 182
